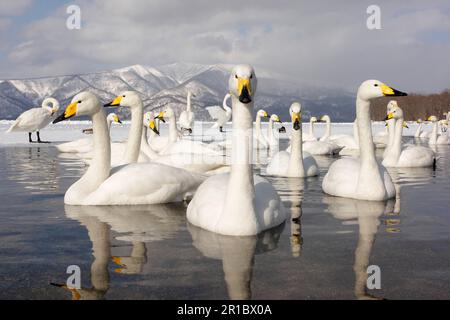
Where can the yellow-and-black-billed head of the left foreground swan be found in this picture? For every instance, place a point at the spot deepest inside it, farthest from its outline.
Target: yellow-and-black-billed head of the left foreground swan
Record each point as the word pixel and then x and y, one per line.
pixel 83 104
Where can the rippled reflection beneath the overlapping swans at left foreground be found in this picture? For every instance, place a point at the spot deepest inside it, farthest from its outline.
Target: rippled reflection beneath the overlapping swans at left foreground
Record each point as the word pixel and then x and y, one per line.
pixel 136 224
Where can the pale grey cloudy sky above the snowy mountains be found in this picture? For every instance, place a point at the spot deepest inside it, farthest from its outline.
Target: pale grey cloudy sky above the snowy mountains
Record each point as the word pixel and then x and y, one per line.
pixel 321 42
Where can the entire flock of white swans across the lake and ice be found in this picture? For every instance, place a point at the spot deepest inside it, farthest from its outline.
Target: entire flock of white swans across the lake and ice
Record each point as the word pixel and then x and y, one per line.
pixel 228 198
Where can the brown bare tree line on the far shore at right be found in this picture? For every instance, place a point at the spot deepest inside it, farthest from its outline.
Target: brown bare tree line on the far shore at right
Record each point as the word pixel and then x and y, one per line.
pixel 415 106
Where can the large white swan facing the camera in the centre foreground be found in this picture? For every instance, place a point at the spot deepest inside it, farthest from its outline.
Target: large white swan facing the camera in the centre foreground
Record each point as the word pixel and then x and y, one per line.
pixel 238 203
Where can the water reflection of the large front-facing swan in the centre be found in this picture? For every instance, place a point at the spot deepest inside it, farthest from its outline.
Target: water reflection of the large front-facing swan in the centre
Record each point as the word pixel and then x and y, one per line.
pixel 237 255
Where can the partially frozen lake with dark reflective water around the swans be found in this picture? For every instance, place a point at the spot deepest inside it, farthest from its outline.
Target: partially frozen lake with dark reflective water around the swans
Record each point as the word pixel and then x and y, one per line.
pixel 151 252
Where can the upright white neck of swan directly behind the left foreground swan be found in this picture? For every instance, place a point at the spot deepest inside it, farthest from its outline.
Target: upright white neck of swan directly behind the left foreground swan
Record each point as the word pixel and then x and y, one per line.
pixel 134 137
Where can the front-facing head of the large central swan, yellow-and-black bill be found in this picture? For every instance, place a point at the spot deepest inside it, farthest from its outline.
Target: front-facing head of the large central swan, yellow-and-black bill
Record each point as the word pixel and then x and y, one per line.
pixel 242 83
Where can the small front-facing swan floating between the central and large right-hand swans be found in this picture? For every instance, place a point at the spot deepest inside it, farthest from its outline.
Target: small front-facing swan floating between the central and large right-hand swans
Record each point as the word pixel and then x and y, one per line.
pixel 297 163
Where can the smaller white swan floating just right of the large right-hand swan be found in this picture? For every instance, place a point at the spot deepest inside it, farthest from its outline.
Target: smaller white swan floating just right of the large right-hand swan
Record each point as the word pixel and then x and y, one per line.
pixel 410 156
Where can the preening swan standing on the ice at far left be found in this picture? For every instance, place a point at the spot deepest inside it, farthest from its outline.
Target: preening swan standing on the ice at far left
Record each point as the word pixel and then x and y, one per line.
pixel 35 119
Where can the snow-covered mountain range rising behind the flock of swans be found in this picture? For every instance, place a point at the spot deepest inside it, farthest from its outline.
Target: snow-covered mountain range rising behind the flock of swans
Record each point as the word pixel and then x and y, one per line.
pixel 168 85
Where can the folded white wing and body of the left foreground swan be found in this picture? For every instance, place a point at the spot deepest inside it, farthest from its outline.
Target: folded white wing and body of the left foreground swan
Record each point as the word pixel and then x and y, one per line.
pixel 145 184
